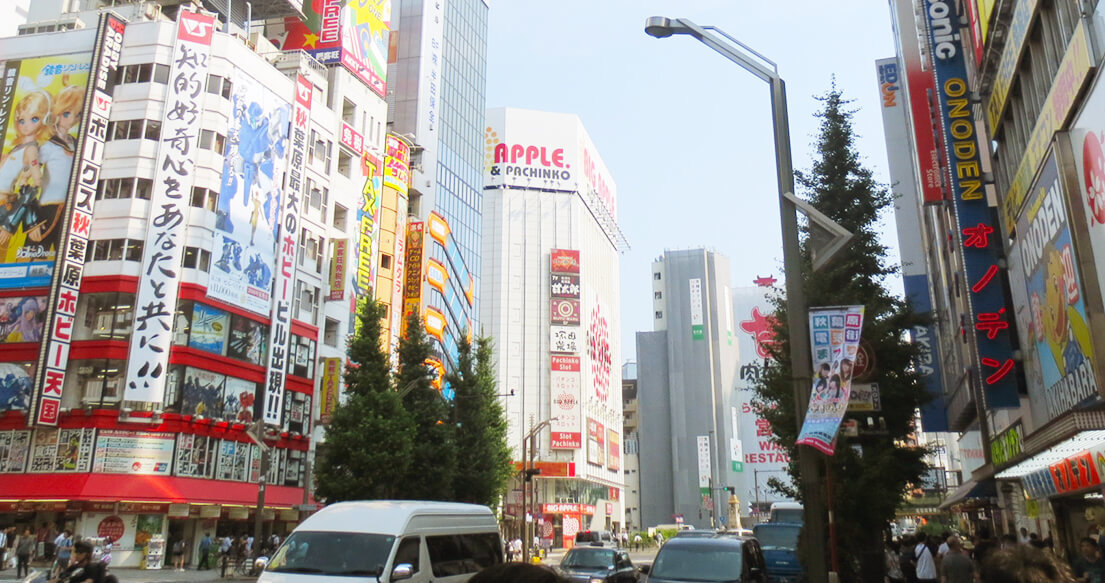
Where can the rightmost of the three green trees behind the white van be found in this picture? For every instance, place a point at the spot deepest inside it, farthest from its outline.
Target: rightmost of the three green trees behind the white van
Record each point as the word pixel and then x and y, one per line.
pixel 481 429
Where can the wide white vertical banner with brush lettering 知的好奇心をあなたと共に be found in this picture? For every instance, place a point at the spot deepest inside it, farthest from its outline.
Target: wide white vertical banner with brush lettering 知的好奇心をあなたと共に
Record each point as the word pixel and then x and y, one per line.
pixel 156 302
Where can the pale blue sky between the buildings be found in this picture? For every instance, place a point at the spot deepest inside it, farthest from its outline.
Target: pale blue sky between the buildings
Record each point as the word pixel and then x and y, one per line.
pixel 686 133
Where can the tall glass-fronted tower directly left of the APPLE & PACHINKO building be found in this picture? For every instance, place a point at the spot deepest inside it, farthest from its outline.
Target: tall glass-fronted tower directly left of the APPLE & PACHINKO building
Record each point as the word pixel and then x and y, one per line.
pixel 437 84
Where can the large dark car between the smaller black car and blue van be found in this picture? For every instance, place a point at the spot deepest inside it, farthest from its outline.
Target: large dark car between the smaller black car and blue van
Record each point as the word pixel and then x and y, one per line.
pixel 720 559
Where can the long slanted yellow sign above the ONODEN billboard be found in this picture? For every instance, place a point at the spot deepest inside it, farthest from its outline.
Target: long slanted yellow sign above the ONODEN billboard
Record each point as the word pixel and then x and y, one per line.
pixel 1074 72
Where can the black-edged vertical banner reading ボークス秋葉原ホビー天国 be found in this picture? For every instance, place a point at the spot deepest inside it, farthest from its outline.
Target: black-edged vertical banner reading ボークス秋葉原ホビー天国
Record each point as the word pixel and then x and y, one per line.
pixel 61 310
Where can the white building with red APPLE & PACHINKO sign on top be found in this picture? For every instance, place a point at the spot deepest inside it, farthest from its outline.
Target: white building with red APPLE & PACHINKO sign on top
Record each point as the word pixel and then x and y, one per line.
pixel 551 301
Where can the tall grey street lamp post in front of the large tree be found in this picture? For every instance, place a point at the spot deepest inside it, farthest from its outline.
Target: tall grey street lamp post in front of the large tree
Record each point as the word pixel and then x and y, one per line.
pixel 814 532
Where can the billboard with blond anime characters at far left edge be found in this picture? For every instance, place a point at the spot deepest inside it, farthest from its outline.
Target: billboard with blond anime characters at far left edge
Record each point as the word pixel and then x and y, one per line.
pixel 41 105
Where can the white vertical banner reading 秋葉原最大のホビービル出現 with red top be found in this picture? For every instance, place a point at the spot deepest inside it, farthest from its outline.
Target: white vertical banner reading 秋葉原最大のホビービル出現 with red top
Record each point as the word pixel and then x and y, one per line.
pixel 280 333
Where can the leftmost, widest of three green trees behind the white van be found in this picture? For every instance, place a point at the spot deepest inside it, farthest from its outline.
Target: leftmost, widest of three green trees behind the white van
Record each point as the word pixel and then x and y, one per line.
pixel 371 437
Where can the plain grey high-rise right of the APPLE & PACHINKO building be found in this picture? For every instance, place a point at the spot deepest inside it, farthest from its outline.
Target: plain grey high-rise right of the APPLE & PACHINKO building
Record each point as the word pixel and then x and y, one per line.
pixel 690 447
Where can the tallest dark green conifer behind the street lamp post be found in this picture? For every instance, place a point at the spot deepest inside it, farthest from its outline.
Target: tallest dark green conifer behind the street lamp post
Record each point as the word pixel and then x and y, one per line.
pixel 871 474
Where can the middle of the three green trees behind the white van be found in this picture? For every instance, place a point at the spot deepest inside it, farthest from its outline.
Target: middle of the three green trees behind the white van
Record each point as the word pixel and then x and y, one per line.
pixel 434 455
